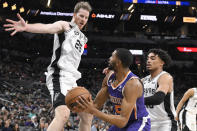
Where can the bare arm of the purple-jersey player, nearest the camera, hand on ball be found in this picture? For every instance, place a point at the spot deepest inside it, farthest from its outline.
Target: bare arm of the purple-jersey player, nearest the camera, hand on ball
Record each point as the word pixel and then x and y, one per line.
pixel 131 92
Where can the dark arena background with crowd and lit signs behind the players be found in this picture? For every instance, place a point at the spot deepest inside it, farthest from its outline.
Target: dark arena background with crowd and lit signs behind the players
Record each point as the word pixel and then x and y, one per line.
pixel 133 24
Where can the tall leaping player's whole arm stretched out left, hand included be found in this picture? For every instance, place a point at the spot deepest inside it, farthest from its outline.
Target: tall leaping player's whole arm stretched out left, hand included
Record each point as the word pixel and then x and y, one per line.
pixel 20 26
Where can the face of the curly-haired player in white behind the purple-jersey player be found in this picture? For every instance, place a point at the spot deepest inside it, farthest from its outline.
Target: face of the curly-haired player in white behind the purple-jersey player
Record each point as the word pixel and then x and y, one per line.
pixel 153 62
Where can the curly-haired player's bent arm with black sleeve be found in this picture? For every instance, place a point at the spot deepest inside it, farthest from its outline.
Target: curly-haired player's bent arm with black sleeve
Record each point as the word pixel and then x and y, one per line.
pixel 165 83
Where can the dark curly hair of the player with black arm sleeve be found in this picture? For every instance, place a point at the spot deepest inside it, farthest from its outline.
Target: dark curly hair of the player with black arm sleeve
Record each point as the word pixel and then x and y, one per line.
pixel 163 55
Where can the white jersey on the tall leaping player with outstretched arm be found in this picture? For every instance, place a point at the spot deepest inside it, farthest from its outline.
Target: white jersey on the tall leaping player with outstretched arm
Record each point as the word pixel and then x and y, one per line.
pixel 67 50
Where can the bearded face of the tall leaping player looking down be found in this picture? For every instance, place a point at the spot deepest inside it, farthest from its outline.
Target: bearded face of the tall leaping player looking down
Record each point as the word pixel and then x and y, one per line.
pixel 81 17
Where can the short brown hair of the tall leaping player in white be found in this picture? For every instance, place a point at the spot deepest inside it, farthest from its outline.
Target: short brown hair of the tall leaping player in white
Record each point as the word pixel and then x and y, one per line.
pixel 83 5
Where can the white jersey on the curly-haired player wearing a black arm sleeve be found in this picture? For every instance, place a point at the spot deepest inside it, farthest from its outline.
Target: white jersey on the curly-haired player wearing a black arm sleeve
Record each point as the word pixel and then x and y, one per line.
pixel 163 112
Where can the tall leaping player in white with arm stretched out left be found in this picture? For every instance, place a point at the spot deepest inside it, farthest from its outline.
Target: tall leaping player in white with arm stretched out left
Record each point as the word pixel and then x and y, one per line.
pixel 63 71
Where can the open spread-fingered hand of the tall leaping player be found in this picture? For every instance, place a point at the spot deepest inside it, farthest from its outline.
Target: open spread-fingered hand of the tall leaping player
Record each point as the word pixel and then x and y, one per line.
pixel 15 26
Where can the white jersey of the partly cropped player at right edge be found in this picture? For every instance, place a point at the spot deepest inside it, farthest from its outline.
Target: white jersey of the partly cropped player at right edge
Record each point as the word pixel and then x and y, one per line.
pixel 192 103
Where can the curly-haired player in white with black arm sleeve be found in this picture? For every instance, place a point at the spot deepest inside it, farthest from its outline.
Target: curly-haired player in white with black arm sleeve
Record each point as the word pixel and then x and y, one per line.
pixel 158 92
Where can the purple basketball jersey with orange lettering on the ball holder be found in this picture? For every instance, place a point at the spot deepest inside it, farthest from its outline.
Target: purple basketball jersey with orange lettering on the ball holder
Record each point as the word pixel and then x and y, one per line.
pixel 116 96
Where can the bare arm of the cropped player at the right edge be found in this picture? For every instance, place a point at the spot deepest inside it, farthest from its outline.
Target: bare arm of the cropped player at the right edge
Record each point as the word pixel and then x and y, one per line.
pixel 189 93
